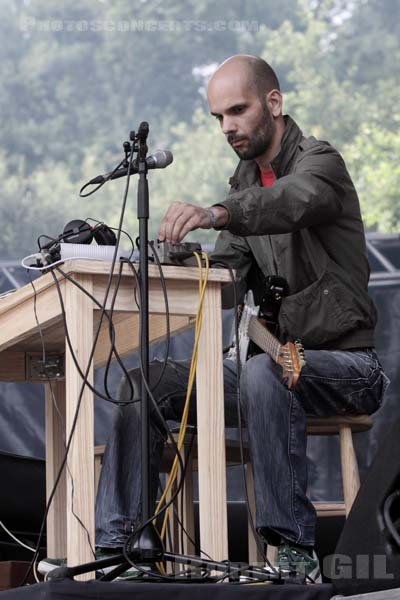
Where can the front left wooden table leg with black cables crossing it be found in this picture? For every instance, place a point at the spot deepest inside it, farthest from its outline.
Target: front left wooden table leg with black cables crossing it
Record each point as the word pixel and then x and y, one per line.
pixel 80 473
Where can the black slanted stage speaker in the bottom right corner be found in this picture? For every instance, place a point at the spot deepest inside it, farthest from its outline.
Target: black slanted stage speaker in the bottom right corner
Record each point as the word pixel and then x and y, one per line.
pixel 366 557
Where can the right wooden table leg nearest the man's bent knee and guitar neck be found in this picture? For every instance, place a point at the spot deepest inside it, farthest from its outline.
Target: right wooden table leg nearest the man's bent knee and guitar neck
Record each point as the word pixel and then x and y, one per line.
pixel 211 430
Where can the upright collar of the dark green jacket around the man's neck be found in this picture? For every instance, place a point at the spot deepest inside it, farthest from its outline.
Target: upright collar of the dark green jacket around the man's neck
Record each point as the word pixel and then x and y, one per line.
pixel 247 172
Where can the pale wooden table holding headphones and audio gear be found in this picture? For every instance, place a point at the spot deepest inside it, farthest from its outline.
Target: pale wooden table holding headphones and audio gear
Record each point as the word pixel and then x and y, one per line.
pixel 19 336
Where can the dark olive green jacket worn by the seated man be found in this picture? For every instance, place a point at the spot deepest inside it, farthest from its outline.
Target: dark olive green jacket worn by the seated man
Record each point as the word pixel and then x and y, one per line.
pixel 307 228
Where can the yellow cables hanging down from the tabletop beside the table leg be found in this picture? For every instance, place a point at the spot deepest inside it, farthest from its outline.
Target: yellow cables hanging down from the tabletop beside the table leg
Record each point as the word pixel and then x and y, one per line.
pixel 192 372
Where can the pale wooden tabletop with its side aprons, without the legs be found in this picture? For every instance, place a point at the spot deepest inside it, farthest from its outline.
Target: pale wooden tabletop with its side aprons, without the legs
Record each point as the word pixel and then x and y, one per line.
pixel 20 334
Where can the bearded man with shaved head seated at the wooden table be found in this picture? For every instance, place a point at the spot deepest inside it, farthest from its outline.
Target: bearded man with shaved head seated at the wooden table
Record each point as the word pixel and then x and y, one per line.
pixel 292 211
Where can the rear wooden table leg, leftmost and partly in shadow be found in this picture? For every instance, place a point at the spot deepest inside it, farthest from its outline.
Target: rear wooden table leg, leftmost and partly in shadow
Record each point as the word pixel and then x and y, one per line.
pixel 55 451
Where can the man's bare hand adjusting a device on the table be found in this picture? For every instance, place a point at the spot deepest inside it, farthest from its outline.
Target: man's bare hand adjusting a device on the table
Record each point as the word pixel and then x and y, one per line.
pixel 182 217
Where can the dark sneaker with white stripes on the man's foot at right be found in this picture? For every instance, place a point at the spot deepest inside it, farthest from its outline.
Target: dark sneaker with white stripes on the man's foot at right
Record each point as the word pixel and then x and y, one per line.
pixel 298 559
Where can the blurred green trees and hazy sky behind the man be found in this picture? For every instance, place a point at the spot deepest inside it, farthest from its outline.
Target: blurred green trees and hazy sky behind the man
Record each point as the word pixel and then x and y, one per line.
pixel 76 77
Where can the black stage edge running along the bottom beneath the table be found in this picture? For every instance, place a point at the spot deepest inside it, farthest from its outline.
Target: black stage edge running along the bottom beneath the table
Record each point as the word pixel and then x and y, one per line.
pixel 93 590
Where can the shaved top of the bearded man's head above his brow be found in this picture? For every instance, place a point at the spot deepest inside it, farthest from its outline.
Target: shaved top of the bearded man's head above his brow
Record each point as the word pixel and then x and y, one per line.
pixel 250 71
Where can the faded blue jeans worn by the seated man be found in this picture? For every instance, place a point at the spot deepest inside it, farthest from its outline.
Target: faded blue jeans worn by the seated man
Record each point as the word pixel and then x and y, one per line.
pixel 331 383
